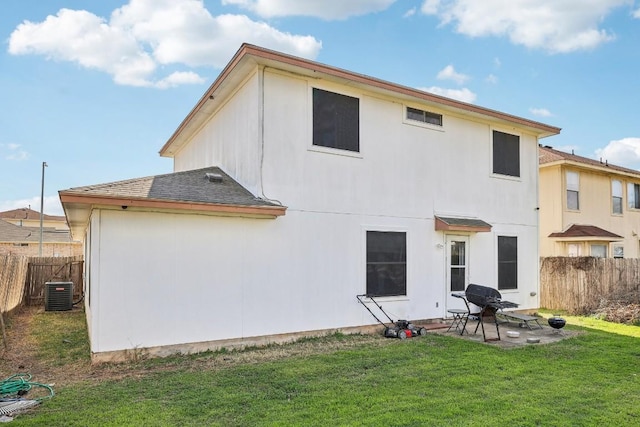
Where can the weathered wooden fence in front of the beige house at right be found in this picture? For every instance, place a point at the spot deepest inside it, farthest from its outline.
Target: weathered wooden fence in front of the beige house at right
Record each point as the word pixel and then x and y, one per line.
pixel 578 284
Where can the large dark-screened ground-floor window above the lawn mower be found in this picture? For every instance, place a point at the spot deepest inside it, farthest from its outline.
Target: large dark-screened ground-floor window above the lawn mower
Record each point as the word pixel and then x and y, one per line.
pixel 386 263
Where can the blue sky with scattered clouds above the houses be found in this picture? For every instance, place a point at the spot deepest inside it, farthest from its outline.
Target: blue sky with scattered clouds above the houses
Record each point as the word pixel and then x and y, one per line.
pixel 95 88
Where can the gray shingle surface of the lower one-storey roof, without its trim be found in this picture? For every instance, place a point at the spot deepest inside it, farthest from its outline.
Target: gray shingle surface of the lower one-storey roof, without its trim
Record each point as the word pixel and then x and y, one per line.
pixel 187 186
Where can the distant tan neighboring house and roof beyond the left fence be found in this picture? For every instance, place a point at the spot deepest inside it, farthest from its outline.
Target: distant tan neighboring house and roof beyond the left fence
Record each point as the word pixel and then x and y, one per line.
pixel 20 235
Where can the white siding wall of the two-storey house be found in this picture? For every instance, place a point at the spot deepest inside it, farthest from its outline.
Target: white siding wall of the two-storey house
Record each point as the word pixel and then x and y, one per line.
pixel 171 278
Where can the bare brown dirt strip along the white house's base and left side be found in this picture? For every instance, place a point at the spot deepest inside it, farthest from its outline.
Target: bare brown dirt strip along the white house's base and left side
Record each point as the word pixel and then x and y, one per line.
pixel 25 354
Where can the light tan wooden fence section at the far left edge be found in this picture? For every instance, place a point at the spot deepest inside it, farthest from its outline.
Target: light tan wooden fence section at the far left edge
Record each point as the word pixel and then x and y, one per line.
pixel 13 270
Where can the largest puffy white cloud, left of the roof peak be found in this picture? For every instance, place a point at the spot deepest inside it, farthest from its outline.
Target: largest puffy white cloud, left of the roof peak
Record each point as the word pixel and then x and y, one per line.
pixel 145 34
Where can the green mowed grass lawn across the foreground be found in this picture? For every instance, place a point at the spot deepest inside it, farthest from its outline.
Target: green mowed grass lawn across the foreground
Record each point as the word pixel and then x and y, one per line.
pixel 589 380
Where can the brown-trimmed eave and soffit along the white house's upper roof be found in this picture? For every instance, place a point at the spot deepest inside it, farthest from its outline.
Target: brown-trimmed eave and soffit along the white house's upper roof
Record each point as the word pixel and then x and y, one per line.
pixel 248 57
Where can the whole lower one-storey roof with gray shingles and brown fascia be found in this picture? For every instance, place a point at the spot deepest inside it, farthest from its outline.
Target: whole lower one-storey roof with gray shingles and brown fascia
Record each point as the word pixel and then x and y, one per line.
pixel 207 190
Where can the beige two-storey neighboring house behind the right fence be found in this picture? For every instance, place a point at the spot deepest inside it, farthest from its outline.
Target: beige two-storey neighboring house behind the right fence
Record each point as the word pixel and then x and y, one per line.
pixel 587 207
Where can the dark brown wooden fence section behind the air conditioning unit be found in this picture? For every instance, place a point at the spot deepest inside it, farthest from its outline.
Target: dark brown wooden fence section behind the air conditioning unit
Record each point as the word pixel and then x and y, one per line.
pixel 54 269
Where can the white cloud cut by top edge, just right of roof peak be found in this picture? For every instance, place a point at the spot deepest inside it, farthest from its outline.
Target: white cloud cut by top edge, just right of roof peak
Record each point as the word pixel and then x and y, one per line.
pixel 326 9
